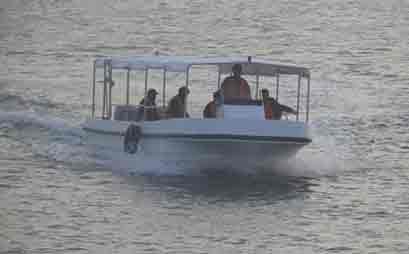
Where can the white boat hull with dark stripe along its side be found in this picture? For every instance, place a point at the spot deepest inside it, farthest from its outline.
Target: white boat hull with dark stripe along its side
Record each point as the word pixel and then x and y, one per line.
pixel 206 145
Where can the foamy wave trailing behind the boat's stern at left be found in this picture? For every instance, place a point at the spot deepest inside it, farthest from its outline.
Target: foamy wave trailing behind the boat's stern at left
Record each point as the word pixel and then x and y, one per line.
pixel 49 137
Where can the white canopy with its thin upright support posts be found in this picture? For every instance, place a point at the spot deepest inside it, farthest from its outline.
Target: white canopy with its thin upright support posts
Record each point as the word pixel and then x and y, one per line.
pixel 182 64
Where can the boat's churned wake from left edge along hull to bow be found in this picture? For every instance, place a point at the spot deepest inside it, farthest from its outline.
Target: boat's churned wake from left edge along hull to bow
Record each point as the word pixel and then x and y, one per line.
pixel 61 141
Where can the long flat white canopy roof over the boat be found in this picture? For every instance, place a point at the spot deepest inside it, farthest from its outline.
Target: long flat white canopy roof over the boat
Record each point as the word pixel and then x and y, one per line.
pixel 250 65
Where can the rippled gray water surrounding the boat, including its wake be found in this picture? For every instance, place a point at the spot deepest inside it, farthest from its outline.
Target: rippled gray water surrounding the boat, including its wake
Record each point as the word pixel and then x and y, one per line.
pixel 345 193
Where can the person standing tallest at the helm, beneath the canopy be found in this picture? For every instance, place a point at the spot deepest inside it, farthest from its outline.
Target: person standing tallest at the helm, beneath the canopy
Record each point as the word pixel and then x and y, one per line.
pixel 235 86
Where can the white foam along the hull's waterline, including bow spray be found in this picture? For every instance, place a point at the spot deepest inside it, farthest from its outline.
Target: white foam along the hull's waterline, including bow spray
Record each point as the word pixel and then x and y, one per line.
pixel 65 143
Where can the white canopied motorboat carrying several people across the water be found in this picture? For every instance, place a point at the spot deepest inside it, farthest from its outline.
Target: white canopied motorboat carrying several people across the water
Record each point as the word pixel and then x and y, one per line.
pixel 239 136
